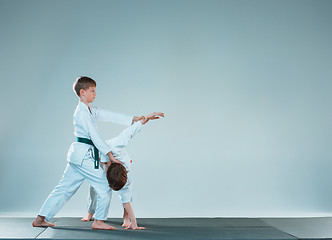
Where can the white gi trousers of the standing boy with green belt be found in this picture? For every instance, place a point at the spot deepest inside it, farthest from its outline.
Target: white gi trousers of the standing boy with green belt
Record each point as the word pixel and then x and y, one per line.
pixel 72 179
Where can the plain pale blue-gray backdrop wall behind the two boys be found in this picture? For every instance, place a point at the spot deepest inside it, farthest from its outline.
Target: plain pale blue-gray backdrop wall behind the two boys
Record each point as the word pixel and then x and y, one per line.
pixel 245 86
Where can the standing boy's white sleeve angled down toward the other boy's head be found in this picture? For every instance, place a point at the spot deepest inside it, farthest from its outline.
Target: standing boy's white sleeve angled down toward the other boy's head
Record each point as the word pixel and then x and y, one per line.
pixel 95 137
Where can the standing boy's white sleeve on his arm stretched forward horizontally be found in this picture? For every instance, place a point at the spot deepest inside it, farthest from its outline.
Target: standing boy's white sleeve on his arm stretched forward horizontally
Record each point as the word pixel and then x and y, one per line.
pixel 109 116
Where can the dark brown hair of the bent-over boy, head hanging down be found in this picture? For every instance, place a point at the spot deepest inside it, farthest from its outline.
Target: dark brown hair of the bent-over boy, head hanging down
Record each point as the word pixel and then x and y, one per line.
pixel 116 176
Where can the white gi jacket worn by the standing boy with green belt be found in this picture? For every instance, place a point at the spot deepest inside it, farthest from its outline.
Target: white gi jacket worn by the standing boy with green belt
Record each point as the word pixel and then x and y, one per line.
pixel 85 127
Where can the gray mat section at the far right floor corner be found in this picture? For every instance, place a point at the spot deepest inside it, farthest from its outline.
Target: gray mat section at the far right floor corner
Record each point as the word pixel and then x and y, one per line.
pixel 304 228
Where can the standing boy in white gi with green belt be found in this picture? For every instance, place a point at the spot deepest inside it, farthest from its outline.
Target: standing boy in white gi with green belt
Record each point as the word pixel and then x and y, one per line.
pixel 83 158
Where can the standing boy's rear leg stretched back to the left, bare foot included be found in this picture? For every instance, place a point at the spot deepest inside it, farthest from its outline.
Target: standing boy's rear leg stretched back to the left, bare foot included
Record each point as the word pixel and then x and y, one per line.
pixel 68 185
